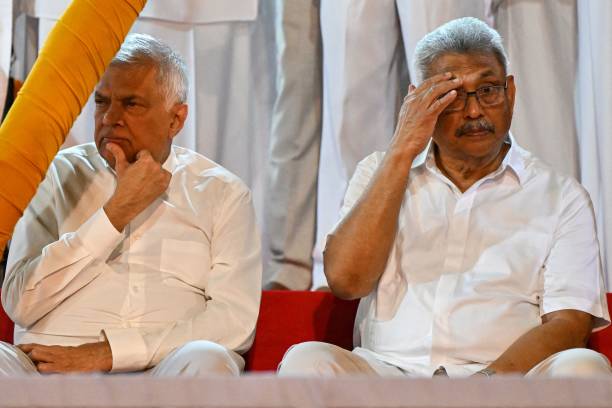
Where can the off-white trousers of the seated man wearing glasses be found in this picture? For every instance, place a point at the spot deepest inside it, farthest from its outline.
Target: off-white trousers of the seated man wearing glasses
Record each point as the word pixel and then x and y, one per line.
pixel 323 359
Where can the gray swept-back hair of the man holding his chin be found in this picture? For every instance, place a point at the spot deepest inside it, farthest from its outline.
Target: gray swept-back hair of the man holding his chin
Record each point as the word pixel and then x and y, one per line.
pixel 144 50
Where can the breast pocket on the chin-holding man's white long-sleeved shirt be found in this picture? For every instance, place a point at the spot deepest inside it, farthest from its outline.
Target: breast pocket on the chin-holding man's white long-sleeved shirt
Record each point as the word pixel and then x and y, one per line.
pixel 185 263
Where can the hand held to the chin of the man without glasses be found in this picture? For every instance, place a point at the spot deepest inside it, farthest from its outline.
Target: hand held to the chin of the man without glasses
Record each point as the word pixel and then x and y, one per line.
pixel 138 185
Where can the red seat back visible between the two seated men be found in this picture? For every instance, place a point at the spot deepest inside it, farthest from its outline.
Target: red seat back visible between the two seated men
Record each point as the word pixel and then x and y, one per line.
pixel 287 318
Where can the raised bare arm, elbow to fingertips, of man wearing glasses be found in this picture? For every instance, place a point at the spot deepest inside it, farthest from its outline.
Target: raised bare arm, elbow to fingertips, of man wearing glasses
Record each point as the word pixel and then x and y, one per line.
pixel 356 253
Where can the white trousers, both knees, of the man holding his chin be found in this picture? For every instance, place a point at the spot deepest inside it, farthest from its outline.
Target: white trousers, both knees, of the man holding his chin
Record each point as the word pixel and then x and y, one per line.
pixel 194 359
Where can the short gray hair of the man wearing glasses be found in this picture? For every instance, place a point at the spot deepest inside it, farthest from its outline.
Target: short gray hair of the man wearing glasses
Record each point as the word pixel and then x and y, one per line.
pixel 466 35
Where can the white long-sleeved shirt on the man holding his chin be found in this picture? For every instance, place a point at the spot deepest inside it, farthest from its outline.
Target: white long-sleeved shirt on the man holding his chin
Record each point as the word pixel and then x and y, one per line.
pixel 186 268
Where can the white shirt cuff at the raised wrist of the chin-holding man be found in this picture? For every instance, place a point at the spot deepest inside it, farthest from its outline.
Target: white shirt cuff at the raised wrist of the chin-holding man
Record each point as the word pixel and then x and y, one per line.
pixel 99 236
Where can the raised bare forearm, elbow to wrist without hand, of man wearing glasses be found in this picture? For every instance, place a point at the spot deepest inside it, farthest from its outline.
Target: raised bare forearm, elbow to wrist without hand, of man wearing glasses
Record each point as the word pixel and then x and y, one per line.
pixel 356 253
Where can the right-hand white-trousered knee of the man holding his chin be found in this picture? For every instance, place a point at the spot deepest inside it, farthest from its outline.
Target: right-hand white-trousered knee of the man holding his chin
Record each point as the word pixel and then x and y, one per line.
pixel 201 358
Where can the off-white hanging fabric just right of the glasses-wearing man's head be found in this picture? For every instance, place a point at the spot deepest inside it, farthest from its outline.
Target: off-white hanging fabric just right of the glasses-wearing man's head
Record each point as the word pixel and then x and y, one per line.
pixel 540 39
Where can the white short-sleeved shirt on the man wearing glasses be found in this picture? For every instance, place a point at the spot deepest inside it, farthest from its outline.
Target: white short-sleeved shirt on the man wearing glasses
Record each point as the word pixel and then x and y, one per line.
pixel 471 272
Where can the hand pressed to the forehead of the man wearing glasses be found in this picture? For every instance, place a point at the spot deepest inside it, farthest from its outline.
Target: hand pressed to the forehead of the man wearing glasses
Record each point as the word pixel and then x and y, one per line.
pixel 420 110
